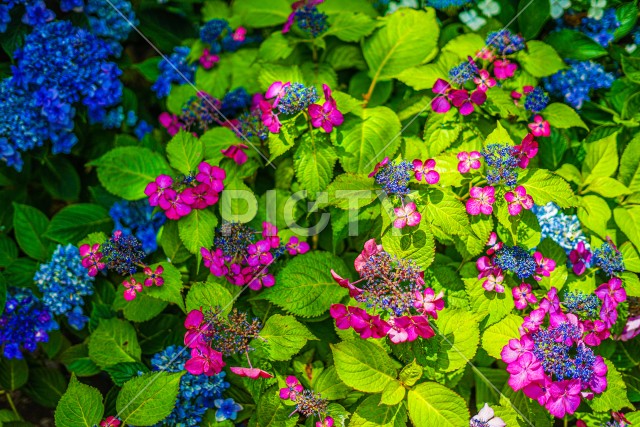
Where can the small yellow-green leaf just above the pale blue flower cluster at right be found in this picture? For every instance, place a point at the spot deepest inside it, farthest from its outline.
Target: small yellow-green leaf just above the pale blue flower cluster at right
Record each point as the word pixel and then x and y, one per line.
pixel 545 186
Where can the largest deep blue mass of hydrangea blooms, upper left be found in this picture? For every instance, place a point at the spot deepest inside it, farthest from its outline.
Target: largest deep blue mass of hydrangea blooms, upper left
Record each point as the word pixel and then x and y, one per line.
pixel 44 92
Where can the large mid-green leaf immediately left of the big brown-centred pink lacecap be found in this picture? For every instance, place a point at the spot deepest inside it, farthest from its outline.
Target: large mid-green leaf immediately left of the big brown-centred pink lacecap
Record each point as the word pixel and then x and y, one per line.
pixel 305 286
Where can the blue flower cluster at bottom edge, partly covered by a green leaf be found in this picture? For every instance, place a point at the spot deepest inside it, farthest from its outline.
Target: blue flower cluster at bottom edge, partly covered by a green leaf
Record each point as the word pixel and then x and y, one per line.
pixel 197 392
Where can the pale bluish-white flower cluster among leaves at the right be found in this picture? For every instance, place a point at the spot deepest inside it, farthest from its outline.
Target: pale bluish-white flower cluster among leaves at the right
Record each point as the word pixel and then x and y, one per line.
pixel 565 230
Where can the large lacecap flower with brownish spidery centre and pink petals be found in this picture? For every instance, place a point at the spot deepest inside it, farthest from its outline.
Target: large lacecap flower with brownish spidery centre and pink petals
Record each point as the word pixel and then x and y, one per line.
pixel 396 290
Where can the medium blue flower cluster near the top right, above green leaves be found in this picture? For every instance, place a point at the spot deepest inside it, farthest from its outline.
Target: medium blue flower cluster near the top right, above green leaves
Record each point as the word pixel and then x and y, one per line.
pixel 576 84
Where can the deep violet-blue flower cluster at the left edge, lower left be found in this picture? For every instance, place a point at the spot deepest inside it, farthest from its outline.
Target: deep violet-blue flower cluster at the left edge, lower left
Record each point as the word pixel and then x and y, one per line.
pixel 25 322
